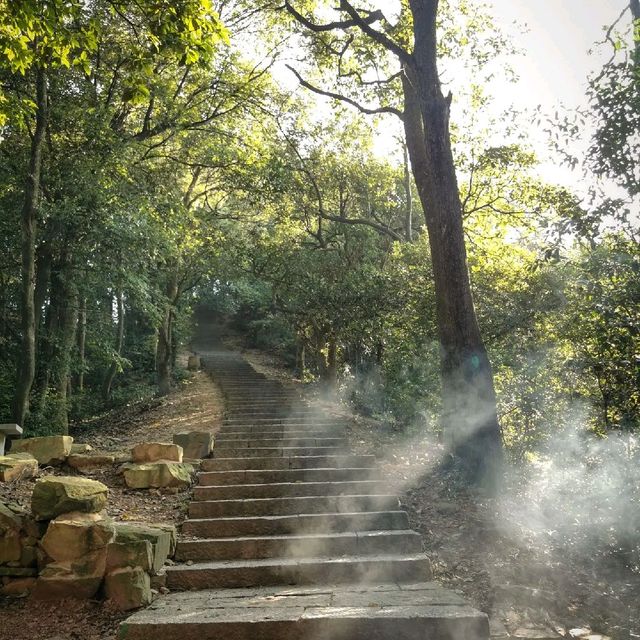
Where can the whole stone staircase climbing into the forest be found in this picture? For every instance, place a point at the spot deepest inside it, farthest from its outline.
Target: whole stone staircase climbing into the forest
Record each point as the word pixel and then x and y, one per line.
pixel 290 536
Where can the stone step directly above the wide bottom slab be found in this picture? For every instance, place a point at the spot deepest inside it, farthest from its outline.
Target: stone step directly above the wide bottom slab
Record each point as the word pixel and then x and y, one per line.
pixel 232 574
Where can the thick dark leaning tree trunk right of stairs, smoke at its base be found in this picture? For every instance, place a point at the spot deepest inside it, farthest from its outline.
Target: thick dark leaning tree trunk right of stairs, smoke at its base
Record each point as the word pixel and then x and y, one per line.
pixel 469 403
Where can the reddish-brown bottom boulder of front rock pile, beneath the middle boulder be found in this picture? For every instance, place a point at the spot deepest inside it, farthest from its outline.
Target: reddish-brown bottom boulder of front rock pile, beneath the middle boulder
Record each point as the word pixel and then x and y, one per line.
pixel 79 579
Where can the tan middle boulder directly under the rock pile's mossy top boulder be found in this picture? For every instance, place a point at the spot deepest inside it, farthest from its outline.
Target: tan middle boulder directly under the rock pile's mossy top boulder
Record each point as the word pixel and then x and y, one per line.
pixel 73 536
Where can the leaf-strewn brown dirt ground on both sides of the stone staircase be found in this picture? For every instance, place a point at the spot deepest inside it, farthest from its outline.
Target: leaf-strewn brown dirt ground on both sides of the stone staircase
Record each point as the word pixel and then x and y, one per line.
pixel 533 583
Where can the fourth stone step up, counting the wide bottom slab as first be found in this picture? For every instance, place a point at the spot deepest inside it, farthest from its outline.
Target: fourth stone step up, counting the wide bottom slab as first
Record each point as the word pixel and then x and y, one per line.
pixel 296 524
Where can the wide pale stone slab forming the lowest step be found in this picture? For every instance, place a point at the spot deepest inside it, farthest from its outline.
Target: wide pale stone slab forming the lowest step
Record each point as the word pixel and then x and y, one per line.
pixel 341 612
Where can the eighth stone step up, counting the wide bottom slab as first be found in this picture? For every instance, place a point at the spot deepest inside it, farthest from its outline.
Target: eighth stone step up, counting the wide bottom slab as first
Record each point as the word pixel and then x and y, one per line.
pixel 291 462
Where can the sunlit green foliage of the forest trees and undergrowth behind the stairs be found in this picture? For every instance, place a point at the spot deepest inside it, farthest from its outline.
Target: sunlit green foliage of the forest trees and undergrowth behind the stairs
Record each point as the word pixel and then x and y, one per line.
pixel 176 174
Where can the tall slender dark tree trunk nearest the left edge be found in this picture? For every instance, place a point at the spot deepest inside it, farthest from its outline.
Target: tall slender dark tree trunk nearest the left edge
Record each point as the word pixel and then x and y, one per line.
pixel 27 362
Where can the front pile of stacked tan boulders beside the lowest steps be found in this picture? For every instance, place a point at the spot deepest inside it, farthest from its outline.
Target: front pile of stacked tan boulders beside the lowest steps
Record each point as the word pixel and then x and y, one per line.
pixel 69 547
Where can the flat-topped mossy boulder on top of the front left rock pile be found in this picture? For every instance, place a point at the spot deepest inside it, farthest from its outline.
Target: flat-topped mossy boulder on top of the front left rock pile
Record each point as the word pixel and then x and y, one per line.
pixel 53 496
